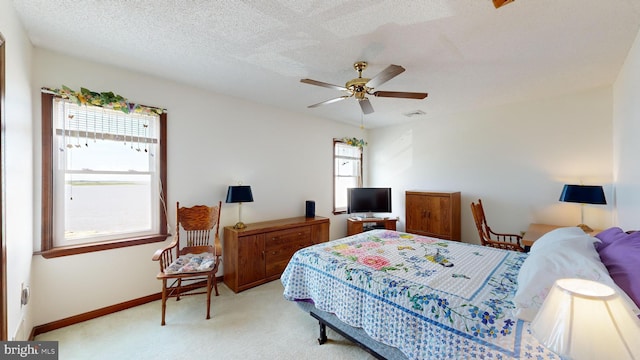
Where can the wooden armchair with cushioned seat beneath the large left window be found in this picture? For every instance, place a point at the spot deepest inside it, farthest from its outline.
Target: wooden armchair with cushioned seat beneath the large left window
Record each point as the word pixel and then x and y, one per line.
pixel 186 266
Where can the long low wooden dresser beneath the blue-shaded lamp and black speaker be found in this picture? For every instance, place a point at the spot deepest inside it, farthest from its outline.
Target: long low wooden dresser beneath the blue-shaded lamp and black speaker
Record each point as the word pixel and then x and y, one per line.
pixel 259 253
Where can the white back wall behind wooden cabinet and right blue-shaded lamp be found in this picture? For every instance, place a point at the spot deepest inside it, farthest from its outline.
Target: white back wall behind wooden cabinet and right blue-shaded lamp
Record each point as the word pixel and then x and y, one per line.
pixel 515 158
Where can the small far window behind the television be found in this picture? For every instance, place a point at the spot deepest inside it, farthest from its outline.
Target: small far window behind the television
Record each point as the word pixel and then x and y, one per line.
pixel 347 173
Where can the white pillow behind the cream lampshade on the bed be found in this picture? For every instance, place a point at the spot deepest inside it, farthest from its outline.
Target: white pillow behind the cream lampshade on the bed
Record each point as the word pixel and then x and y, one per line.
pixel 567 256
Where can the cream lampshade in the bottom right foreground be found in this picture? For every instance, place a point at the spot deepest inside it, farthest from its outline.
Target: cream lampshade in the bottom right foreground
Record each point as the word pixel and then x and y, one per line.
pixel 583 319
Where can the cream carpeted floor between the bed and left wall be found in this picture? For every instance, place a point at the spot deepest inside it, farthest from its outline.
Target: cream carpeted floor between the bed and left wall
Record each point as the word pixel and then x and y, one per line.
pixel 255 324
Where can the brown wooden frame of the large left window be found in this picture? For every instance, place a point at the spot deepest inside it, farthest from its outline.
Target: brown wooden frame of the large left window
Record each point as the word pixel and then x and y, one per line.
pixel 48 250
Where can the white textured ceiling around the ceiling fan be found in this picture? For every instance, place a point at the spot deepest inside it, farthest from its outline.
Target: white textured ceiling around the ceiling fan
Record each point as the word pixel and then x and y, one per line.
pixel 465 53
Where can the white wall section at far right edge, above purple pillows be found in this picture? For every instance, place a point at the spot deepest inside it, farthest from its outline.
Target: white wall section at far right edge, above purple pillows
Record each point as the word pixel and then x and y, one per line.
pixel 626 125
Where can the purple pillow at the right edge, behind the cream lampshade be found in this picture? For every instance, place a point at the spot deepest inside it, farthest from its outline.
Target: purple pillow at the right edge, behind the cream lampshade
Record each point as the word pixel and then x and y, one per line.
pixel 622 259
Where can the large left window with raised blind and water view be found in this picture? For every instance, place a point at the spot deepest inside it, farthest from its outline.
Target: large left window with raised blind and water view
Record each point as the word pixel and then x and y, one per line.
pixel 104 177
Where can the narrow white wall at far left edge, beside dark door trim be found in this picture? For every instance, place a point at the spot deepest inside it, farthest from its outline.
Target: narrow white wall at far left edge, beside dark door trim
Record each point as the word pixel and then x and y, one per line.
pixel 19 165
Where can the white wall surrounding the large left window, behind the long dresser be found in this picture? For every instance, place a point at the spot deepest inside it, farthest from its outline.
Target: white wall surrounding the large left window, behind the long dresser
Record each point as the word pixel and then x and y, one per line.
pixel 213 141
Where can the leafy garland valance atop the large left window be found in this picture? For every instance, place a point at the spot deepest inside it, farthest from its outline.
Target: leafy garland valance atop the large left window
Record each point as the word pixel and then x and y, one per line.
pixel 103 99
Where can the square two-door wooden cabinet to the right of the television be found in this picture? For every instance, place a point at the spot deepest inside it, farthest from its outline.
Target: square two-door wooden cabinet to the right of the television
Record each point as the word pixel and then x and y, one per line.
pixel 434 214
